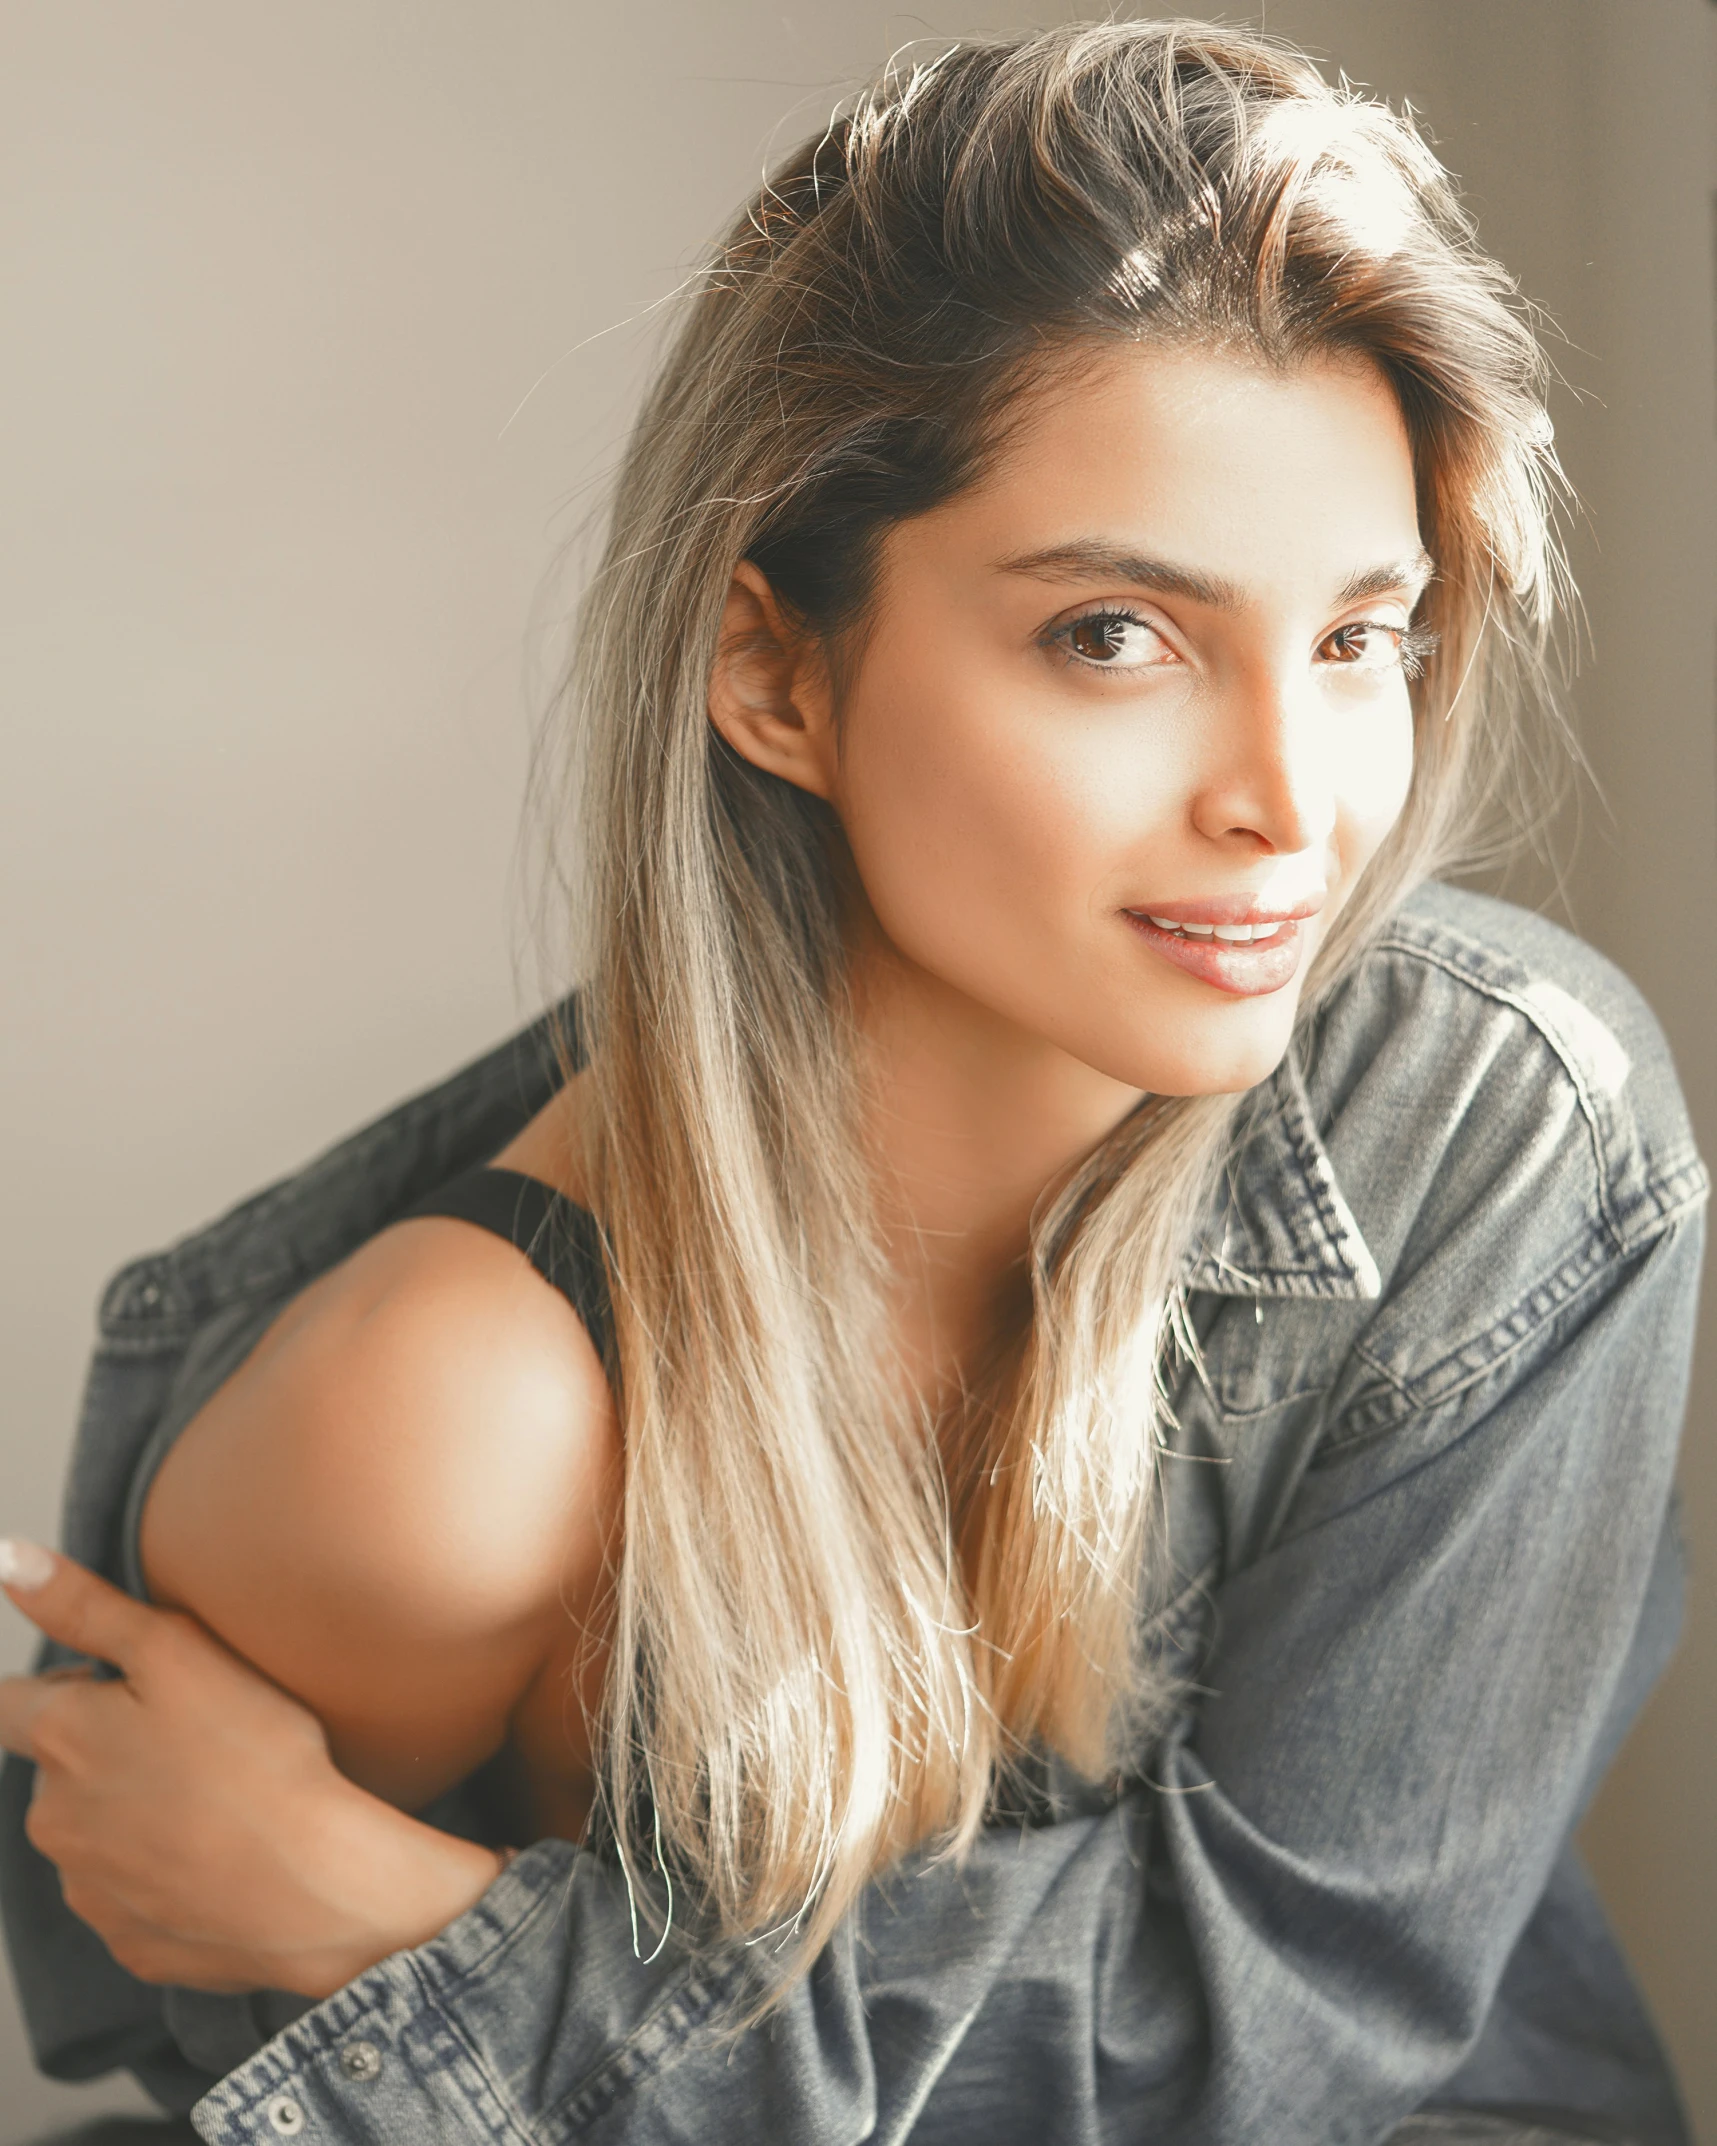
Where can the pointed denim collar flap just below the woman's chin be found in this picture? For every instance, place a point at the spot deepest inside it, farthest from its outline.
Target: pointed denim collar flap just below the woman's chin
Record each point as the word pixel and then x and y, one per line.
pixel 1280 1224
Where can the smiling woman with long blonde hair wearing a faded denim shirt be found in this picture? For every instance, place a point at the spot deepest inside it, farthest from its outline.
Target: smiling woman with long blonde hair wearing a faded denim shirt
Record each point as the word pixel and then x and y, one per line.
pixel 1098 1460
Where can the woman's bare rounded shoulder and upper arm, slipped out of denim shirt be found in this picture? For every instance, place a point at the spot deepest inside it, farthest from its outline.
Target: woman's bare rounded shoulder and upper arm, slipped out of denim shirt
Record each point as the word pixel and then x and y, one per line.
pixel 402 1510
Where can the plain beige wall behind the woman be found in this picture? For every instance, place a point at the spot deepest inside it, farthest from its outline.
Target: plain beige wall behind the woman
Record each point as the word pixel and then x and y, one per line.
pixel 321 327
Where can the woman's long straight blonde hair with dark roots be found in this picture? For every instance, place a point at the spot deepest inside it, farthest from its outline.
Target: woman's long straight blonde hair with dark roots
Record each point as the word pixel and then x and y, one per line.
pixel 806 1677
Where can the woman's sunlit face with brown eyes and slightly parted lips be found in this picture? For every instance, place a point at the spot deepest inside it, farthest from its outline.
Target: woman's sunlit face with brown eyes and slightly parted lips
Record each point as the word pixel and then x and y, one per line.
pixel 1132 714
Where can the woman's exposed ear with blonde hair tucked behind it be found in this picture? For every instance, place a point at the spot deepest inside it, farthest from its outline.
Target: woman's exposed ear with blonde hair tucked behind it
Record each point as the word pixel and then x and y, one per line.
pixel 769 688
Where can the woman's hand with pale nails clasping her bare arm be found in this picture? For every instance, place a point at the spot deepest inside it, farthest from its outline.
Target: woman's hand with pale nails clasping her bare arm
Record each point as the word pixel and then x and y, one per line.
pixel 194 1812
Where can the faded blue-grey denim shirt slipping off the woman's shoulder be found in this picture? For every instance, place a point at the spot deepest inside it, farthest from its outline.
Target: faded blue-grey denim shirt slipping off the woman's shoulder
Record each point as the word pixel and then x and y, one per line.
pixel 1420 1578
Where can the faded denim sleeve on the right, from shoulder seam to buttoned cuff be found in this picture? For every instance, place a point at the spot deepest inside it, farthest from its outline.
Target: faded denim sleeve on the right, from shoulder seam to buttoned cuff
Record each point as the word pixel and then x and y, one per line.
pixel 1293 1930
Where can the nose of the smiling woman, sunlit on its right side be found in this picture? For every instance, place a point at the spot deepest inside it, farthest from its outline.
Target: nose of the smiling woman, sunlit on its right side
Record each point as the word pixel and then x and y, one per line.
pixel 1272 780
